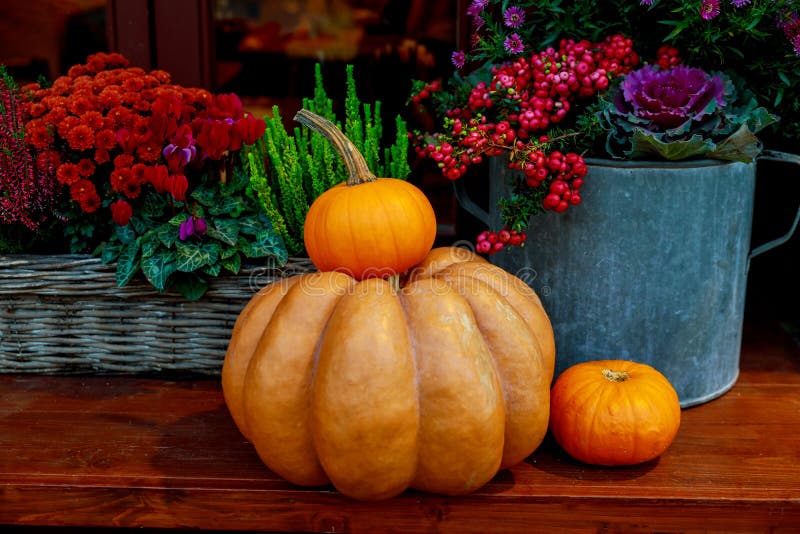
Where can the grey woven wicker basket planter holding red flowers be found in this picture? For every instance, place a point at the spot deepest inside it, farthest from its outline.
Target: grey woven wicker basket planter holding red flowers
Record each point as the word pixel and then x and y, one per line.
pixel 65 315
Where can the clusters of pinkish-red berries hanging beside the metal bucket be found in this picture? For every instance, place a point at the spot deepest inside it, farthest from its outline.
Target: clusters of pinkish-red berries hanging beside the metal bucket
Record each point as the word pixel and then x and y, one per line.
pixel 510 111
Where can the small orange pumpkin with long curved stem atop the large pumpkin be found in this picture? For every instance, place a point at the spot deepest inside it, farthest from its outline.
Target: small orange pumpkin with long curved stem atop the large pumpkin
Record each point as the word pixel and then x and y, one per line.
pixel 366 226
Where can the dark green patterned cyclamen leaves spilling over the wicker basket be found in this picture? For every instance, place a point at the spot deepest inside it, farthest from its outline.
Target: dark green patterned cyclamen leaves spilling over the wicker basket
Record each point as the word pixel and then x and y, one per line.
pixel 237 229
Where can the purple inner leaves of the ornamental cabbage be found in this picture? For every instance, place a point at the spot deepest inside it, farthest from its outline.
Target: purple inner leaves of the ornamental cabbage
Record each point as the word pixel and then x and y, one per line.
pixel 667 99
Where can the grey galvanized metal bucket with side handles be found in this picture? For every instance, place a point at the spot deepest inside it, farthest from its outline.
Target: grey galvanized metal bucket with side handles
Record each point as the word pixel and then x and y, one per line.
pixel 651 267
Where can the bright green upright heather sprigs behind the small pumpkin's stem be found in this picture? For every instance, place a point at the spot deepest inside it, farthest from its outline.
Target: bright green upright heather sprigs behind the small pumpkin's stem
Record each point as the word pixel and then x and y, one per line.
pixel 288 171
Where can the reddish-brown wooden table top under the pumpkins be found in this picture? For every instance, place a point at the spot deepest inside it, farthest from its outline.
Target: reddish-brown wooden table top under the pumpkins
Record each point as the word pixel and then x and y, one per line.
pixel 143 452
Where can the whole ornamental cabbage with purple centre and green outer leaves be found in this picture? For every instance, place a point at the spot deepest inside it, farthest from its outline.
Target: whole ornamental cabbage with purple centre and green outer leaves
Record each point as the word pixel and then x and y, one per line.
pixel 682 113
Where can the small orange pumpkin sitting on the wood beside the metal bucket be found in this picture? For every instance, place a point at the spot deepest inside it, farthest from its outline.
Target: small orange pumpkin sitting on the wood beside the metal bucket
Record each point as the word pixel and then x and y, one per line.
pixel 614 412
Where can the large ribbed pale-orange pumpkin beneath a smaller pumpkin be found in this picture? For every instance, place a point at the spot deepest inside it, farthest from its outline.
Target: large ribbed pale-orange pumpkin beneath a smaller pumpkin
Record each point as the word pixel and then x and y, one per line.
pixel 434 385
